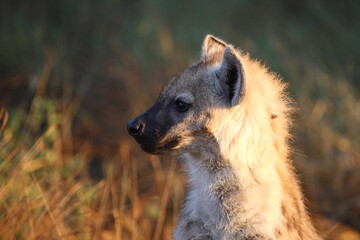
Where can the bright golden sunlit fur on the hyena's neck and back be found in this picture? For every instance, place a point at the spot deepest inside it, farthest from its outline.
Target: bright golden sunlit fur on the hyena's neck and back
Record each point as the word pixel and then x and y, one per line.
pixel 256 147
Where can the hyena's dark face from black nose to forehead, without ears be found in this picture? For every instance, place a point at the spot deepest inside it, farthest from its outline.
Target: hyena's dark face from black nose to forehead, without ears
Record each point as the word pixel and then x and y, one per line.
pixel 175 116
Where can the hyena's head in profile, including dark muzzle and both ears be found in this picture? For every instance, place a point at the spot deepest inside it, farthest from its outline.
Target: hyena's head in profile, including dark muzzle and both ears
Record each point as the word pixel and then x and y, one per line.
pixel 177 122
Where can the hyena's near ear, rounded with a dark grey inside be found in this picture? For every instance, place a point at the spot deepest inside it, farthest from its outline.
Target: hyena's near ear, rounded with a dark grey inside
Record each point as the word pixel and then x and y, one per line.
pixel 232 76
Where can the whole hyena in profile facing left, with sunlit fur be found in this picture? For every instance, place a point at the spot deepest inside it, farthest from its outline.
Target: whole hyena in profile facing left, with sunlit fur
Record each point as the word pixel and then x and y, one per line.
pixel 227 119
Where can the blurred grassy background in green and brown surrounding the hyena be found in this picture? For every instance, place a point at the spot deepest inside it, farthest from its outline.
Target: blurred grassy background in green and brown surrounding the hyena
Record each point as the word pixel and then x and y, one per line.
pixel 72 73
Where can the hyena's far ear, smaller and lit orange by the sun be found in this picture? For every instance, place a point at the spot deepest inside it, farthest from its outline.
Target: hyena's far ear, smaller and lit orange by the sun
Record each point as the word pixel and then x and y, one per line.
pixel 212 48
